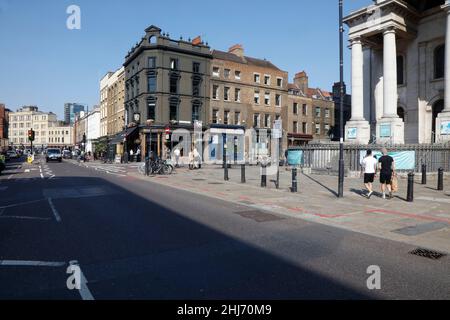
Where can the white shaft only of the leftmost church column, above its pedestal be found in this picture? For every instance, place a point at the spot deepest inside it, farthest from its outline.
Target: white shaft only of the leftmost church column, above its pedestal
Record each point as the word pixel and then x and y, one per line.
pixel 357 80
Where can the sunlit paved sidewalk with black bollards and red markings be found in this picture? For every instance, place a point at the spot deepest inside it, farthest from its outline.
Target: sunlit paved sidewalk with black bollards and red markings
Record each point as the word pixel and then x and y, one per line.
pixel 424 223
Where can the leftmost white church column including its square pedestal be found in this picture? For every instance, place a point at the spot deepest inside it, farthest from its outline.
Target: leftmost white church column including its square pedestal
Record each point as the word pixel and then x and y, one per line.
pixel 357 130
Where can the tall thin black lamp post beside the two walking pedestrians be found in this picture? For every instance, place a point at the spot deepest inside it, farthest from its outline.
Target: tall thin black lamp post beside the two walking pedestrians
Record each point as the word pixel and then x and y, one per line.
pixel 341 110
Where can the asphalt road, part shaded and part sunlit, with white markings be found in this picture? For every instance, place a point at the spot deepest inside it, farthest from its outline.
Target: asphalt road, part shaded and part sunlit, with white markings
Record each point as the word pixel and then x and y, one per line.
pixel 133 239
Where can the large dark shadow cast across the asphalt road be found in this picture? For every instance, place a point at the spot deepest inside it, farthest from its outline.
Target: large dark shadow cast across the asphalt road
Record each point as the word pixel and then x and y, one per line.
pixel 130 247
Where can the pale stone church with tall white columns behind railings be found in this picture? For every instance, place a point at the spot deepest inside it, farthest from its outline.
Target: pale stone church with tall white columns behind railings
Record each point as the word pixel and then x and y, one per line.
pixel 400 72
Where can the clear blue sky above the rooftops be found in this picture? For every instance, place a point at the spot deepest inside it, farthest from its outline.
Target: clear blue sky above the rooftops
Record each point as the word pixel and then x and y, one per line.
pixel 43 63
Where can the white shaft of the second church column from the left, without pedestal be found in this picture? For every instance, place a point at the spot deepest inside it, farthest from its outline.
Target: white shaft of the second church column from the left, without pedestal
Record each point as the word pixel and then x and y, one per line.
pixel 390 74
